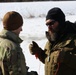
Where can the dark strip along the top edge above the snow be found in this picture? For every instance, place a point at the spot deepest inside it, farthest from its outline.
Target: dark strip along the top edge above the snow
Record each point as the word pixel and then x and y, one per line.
pixel 31 0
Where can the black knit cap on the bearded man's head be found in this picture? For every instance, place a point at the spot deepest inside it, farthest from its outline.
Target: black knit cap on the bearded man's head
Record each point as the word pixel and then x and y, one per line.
pixel 56 14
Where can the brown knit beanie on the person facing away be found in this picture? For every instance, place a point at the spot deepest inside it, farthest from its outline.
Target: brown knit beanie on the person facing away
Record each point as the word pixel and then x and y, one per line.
pixel 12 20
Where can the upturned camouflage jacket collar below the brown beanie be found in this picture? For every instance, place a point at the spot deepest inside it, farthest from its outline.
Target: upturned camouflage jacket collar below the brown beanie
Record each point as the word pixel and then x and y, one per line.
pixel 10 35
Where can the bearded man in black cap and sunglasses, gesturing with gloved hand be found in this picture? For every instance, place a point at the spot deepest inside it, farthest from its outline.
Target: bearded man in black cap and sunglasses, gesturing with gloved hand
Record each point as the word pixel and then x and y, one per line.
pixel 59 54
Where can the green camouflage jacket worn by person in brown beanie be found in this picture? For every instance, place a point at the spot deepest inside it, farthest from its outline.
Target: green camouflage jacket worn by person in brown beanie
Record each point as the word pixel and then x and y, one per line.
pixel 12 61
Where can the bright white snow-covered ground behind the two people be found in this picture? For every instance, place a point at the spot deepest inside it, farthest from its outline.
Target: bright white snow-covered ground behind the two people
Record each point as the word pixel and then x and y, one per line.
pixel 34 27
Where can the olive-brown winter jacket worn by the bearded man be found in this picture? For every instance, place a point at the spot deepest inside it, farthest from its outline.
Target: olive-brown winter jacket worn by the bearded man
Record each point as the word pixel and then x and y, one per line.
pixel 66 43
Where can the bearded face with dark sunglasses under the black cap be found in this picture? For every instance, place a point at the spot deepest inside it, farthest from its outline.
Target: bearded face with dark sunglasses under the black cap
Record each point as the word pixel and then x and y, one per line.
pixel 53 28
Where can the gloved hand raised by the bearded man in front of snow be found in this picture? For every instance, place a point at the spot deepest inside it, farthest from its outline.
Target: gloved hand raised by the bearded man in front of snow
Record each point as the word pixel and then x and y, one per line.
pixel 34 48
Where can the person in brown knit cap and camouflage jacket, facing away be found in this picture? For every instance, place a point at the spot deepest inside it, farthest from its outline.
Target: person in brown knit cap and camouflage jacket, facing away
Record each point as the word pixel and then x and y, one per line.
pixel 12 61
